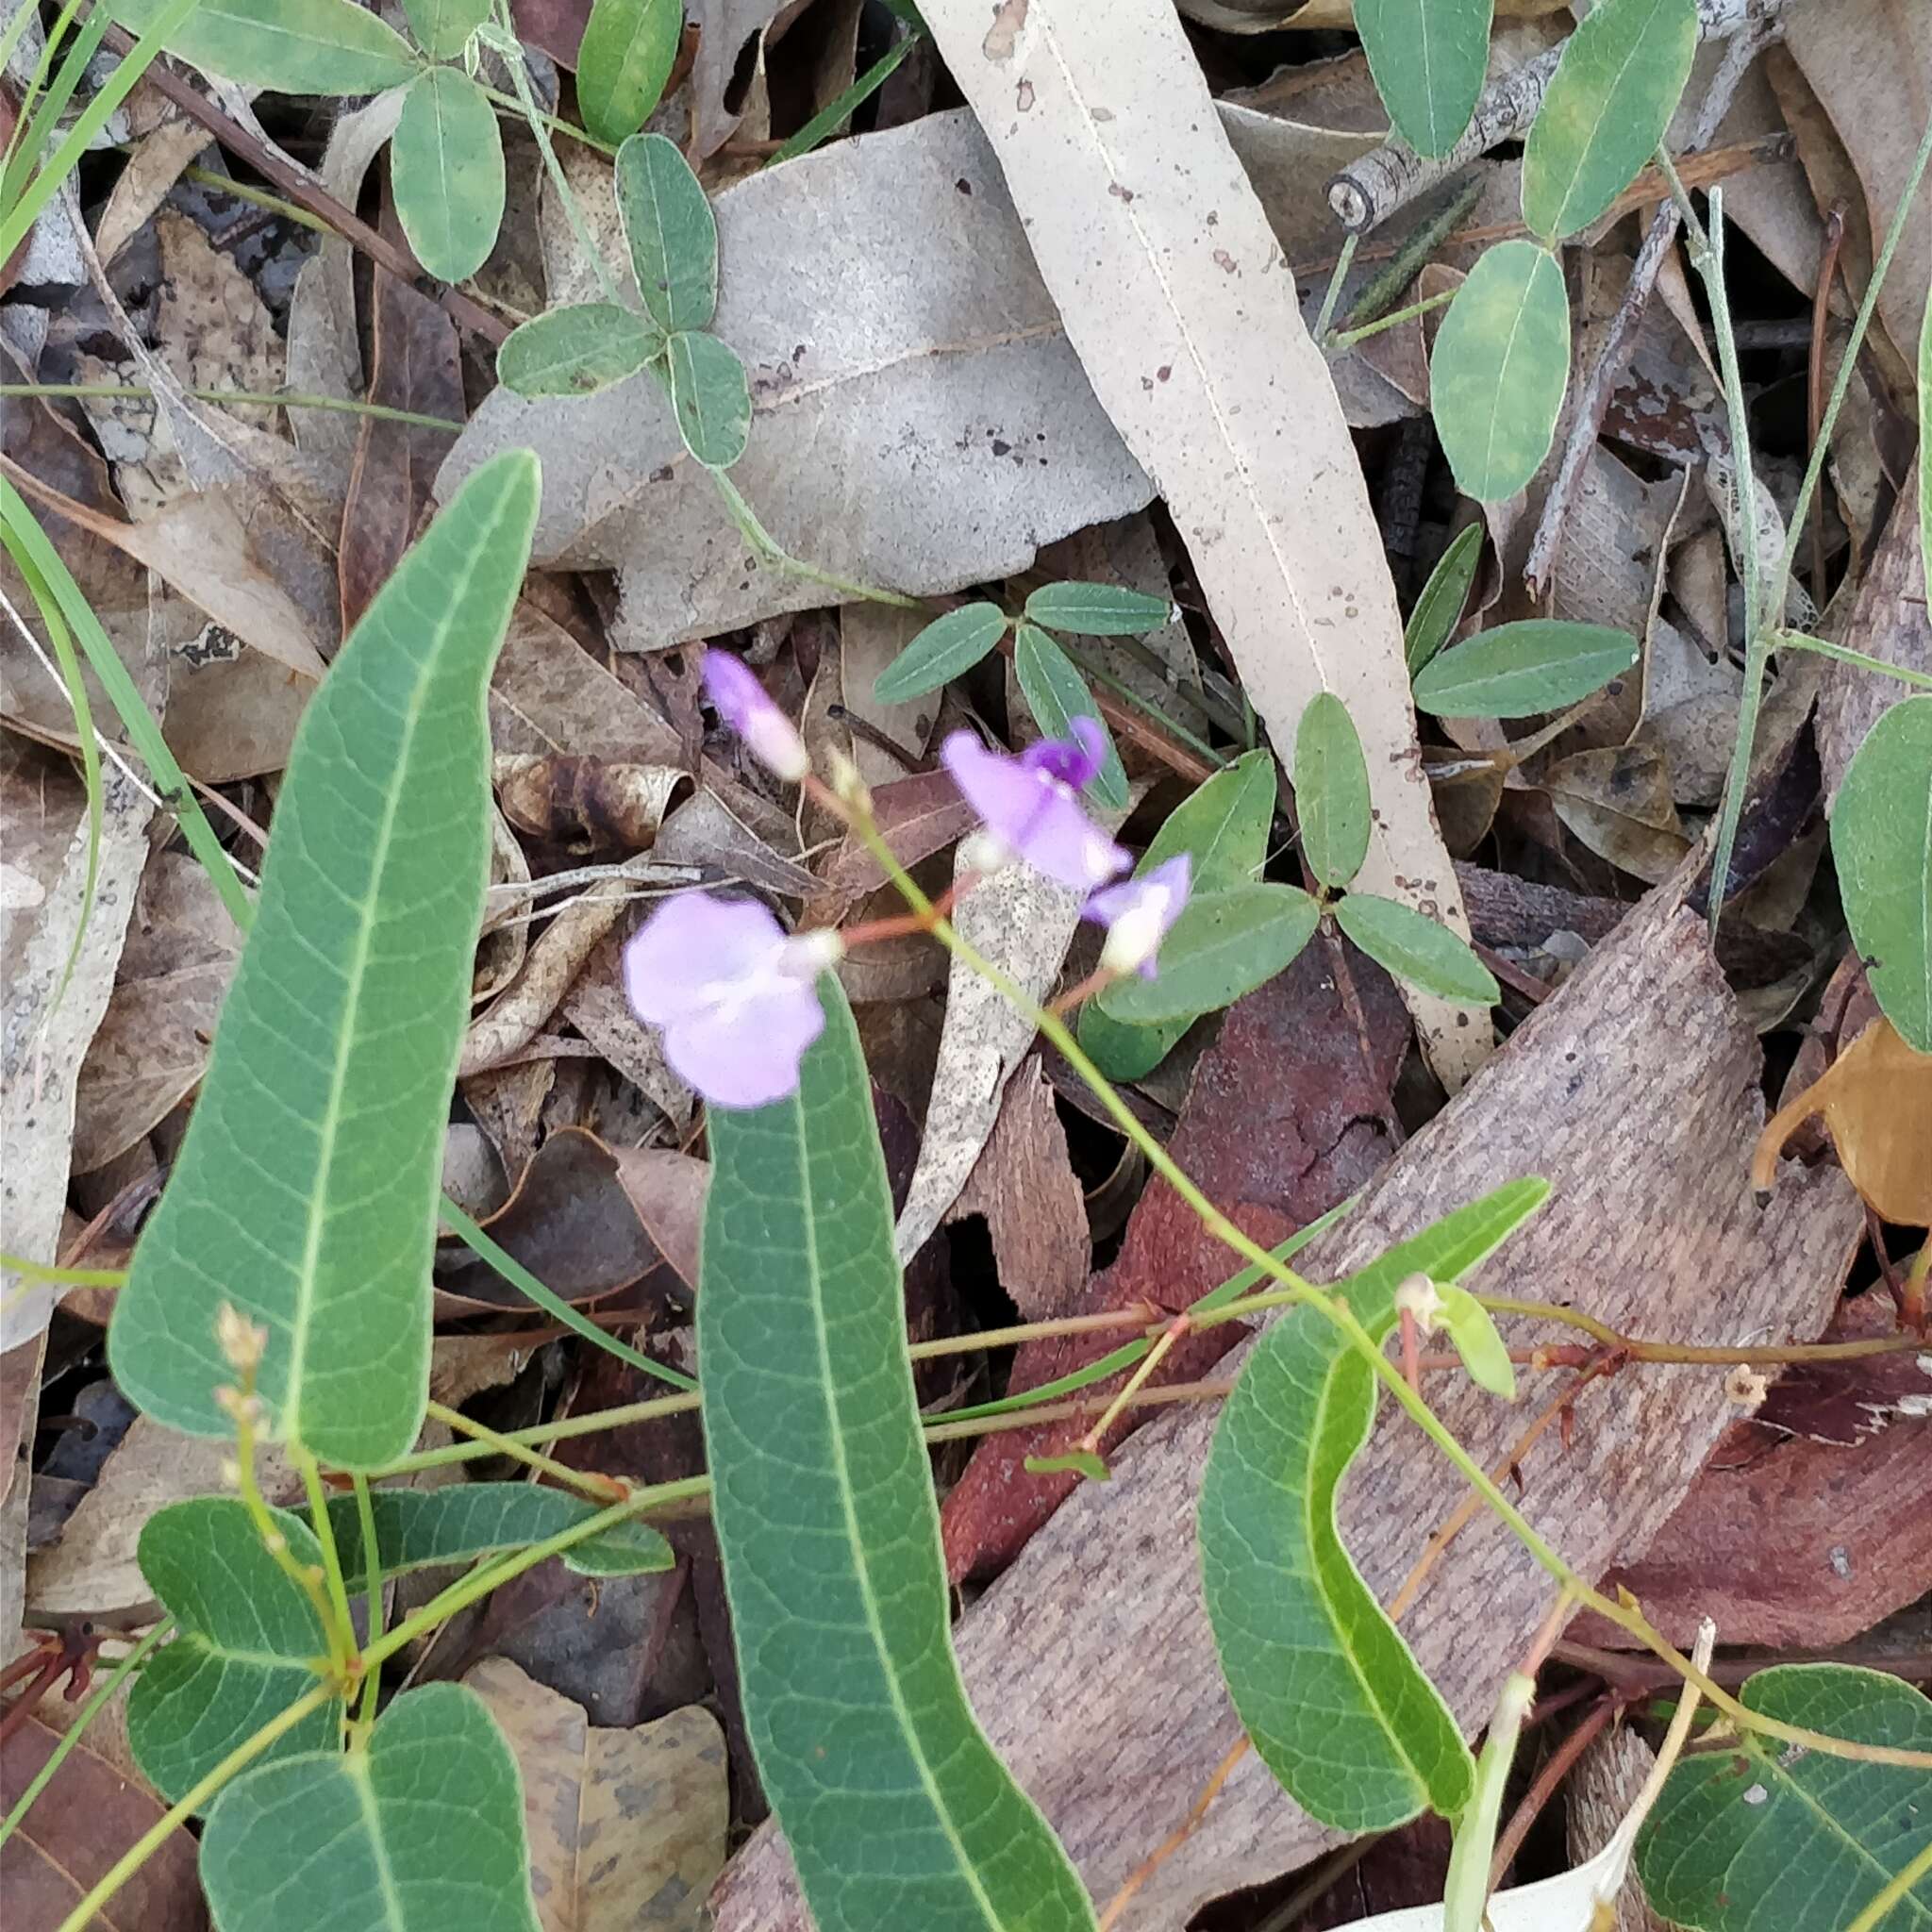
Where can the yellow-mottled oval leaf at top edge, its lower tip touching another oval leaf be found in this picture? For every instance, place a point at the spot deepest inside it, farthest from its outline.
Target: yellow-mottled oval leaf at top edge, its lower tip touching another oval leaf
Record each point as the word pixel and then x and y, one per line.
pixel 1605 111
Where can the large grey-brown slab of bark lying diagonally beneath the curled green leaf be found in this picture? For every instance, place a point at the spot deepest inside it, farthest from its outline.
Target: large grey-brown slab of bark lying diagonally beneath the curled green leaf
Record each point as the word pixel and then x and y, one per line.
pixel 1635 1093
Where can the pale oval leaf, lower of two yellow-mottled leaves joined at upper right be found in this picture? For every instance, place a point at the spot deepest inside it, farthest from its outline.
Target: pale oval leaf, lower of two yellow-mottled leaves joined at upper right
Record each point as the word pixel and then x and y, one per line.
pixel 1500 368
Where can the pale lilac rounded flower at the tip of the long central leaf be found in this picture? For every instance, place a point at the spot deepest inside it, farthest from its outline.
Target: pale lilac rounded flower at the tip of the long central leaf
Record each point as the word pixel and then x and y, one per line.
pixel 733 994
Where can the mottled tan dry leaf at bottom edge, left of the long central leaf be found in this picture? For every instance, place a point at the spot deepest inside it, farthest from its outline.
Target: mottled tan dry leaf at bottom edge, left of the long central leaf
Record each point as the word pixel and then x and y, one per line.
pixel 627 1827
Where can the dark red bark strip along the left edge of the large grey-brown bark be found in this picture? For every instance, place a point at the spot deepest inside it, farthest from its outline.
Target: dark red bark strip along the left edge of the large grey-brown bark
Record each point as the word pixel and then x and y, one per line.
pixel 1288 1114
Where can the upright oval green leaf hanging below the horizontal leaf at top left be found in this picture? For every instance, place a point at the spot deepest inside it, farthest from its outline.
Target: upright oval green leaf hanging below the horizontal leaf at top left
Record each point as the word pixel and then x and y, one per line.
pixel 447 171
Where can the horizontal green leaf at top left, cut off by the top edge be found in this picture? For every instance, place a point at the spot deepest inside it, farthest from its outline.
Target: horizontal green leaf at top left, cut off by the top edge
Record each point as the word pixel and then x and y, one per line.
pixel 293 47
